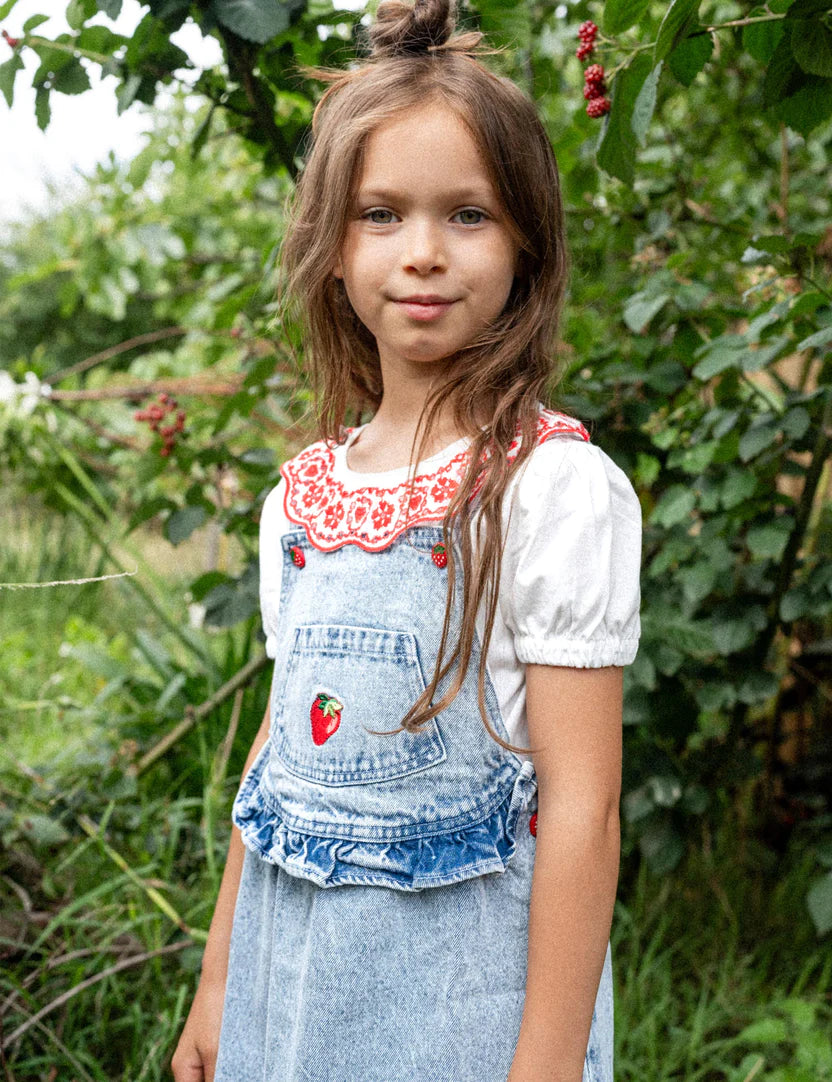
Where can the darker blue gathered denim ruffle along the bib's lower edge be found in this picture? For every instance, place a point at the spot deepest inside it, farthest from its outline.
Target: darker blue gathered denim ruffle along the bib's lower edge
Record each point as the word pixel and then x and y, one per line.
pixel 411 864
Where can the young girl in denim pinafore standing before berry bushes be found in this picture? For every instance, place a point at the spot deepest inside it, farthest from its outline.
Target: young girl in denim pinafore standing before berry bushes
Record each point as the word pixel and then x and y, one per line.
pixel 422 878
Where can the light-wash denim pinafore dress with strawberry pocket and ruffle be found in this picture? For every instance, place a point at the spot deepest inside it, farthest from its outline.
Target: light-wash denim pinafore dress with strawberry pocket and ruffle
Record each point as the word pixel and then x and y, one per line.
pixel 381 927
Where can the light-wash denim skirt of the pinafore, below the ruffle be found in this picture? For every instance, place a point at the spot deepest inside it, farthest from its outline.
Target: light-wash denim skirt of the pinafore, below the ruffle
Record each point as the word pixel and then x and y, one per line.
pixel 369 984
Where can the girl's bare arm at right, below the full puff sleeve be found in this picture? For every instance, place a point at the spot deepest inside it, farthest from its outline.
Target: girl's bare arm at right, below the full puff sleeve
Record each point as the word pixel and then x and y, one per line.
pixel 575 727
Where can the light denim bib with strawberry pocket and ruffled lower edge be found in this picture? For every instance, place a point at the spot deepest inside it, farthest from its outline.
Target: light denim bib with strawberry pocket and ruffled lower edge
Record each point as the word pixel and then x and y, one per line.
pixel 333 802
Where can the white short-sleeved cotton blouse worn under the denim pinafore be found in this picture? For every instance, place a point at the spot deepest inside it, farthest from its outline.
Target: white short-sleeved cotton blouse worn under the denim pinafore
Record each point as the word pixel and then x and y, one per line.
pixel 570 589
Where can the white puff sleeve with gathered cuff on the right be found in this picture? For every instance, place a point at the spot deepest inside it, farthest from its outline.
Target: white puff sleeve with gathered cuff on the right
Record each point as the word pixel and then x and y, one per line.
pixel 573 560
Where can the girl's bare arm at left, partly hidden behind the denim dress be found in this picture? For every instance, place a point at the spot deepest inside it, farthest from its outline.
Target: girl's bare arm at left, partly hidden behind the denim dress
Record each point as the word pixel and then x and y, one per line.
pixel 195 1058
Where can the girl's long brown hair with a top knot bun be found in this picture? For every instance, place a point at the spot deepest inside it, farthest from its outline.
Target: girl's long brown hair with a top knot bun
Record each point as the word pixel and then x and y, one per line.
pixel 417 58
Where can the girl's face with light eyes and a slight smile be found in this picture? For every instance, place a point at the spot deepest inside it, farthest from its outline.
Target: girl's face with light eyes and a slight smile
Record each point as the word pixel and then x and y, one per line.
pixel 429 258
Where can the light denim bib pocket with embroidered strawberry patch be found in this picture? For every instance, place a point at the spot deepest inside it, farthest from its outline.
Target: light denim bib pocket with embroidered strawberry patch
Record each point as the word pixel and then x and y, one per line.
pixel 340 682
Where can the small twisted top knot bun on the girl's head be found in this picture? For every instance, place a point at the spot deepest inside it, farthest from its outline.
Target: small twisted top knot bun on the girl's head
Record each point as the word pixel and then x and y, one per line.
pixel 427 27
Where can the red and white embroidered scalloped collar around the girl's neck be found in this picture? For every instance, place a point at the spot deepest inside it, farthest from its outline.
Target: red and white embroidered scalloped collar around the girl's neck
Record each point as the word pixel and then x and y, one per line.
pixel 373 518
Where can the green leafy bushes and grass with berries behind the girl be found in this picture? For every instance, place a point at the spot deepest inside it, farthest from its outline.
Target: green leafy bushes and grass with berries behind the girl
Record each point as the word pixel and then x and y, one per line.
pixel 696 346
